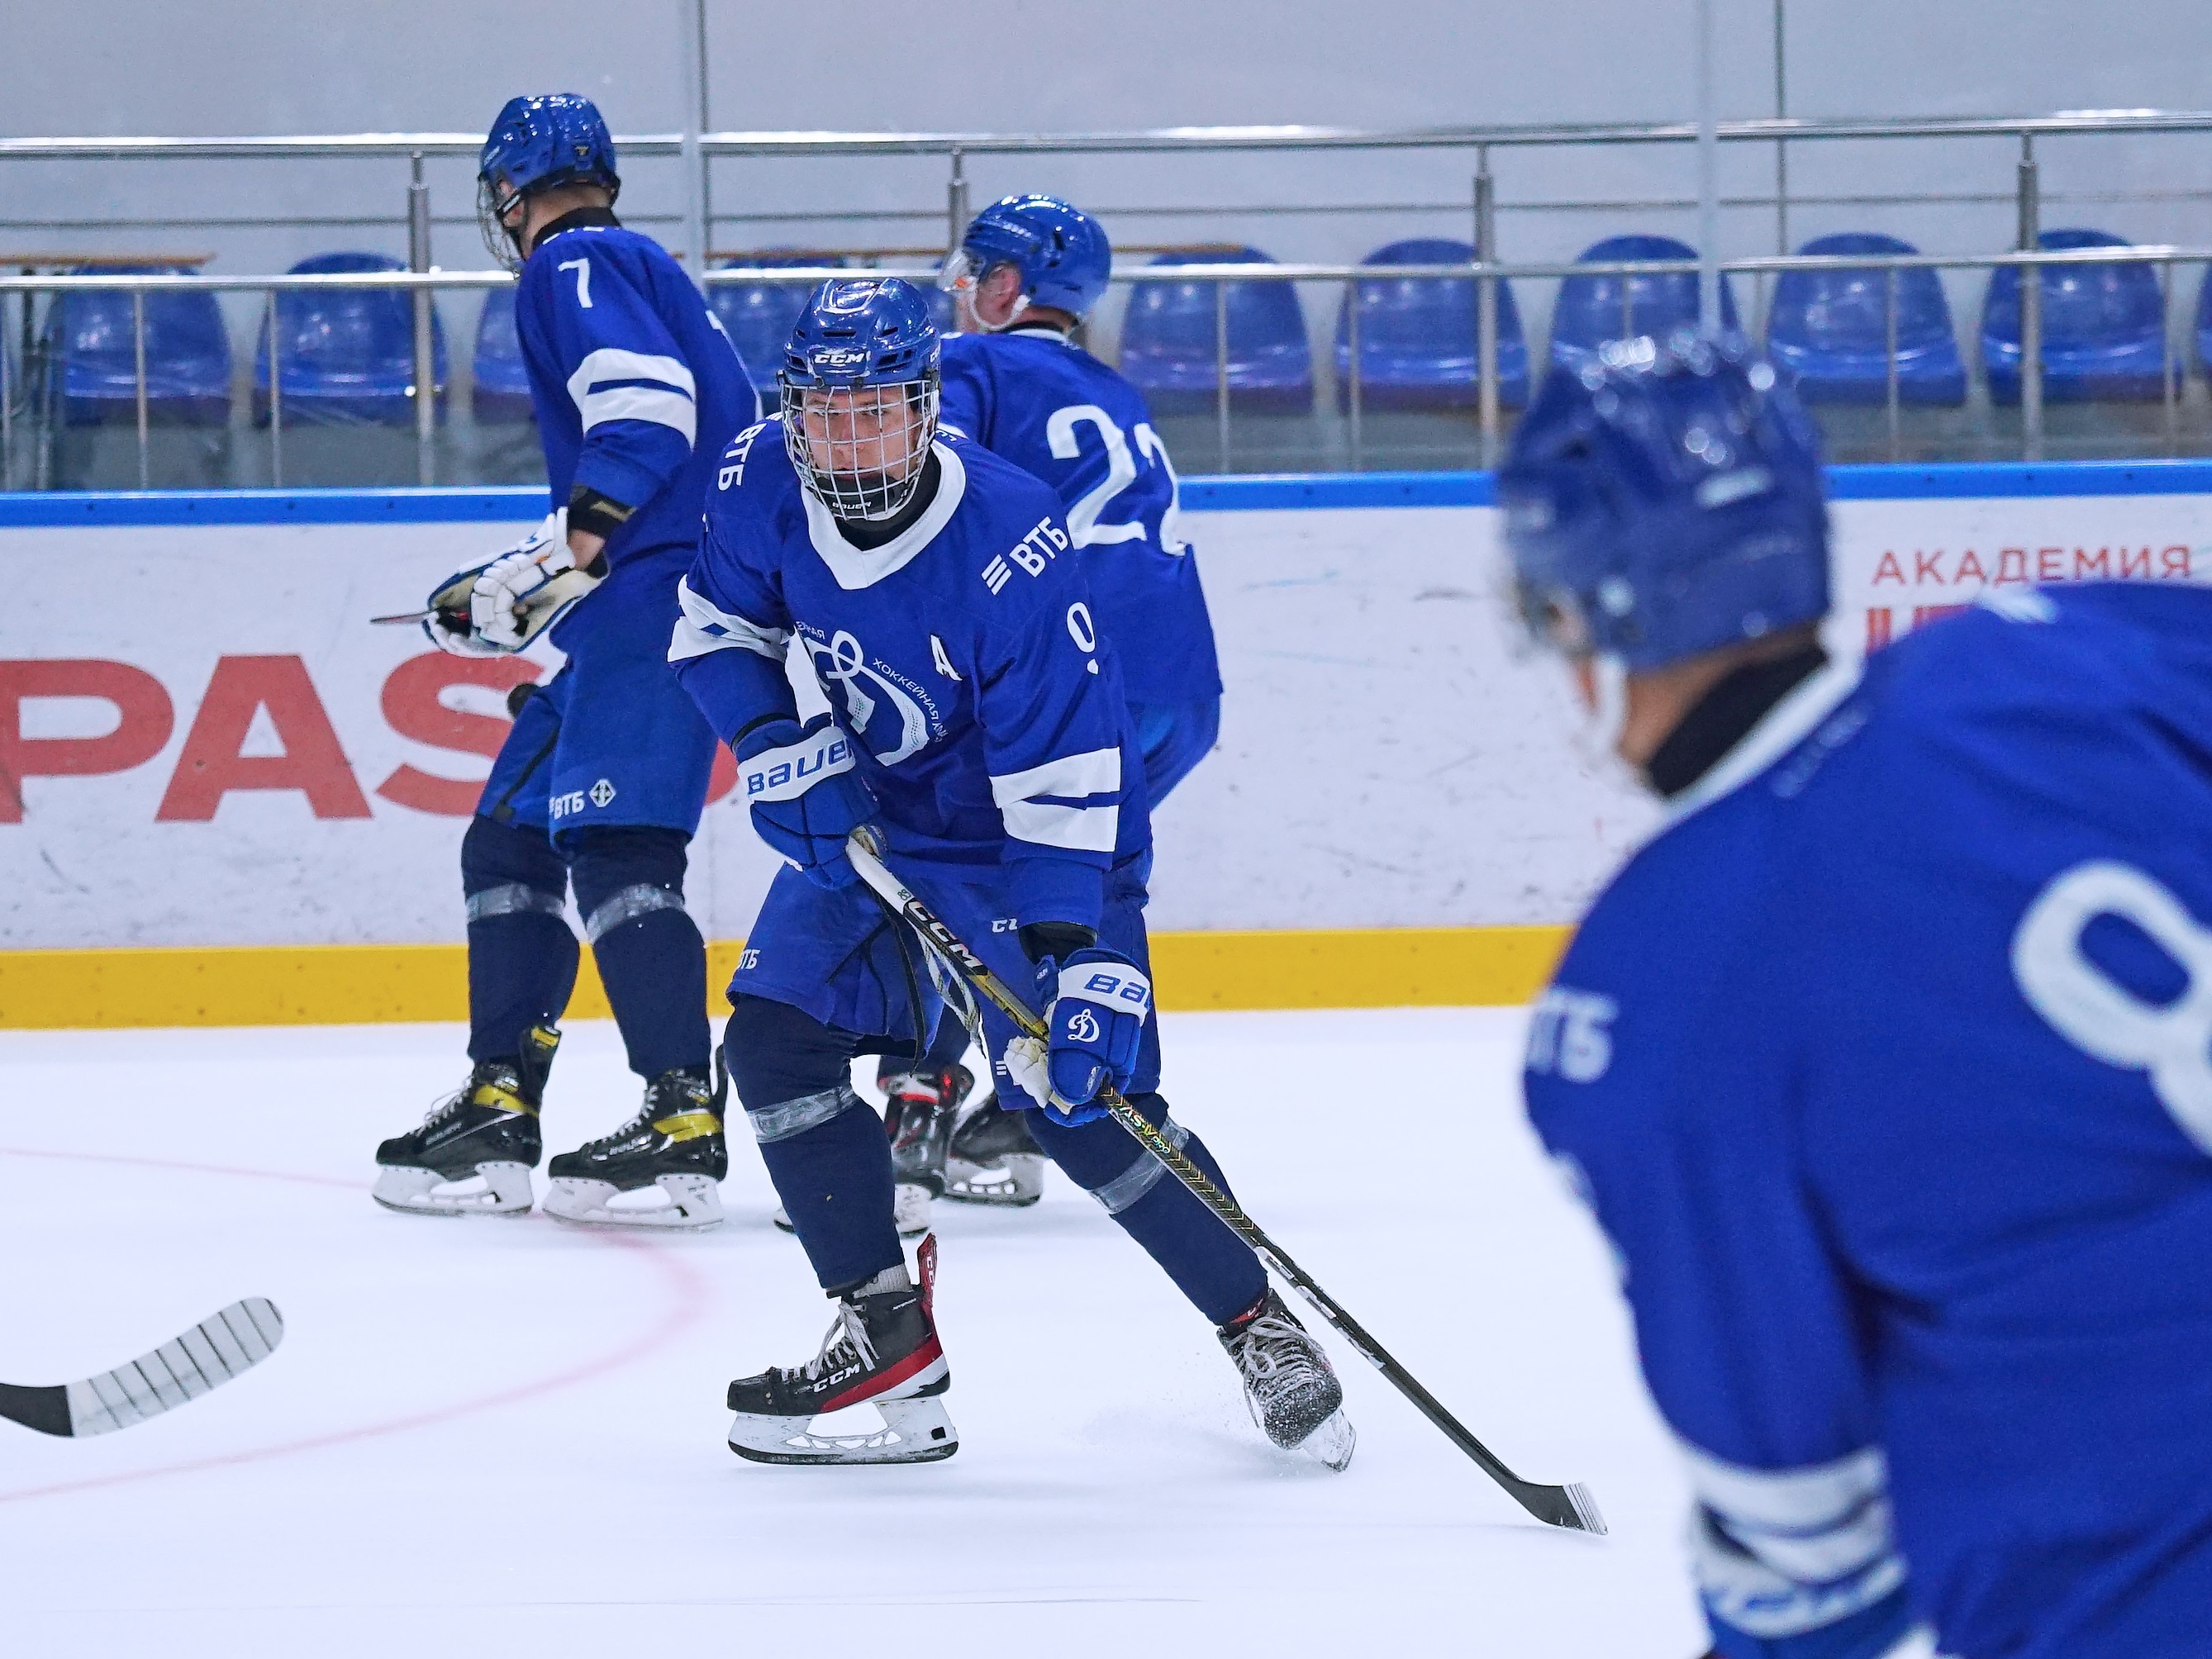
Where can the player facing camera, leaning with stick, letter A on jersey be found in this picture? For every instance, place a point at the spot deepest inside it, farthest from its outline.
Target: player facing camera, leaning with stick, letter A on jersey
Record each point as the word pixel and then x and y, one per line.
pixel 979 729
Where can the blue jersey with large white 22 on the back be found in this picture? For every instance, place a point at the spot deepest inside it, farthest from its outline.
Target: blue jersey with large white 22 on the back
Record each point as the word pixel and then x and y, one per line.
pixel 1061 415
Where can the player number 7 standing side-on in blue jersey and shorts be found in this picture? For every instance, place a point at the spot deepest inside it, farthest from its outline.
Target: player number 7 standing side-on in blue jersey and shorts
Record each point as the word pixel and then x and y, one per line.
pixel 605 773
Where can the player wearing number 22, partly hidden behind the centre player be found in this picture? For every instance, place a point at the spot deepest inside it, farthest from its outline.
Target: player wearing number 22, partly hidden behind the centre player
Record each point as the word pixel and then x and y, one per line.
pixel 1027 271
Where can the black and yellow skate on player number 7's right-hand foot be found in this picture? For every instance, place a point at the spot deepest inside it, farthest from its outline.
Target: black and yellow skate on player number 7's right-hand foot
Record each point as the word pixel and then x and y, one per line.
pixel 674 1145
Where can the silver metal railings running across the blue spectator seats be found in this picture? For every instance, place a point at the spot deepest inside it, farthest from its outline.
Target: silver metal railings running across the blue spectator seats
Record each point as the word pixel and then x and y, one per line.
pixel 1488 269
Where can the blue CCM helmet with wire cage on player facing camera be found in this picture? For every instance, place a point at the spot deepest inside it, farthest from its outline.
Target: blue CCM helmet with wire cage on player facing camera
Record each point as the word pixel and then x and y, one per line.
pixel 859 395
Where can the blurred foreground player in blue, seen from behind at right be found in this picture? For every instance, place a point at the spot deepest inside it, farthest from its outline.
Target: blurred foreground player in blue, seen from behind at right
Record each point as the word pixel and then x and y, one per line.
pixel 1888 1061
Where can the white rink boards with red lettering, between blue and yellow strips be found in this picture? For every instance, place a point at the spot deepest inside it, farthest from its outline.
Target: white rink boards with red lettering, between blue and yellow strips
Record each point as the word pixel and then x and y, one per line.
pixel 1388 758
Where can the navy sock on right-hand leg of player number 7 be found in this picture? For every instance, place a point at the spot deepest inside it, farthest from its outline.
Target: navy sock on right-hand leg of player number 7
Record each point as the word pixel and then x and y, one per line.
pixel 629 886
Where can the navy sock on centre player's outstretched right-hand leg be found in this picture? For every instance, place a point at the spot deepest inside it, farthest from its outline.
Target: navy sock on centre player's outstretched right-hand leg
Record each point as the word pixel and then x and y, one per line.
pixel 1207 1262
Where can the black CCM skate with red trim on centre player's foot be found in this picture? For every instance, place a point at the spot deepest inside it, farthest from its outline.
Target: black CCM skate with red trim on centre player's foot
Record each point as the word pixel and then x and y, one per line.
pixel 884 1353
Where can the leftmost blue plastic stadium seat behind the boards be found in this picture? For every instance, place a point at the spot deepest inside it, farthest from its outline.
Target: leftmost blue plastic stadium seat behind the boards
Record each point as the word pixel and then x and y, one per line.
pixel 92 359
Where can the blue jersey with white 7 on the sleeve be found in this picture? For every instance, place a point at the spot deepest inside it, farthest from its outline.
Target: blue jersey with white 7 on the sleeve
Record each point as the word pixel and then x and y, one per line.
pixel 634 384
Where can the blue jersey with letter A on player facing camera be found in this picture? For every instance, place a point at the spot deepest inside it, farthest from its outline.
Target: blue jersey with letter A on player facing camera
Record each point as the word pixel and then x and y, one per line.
pixel 963 660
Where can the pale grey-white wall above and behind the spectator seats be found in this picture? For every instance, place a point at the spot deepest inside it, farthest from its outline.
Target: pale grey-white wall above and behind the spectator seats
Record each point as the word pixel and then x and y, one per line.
pixel 322 67
